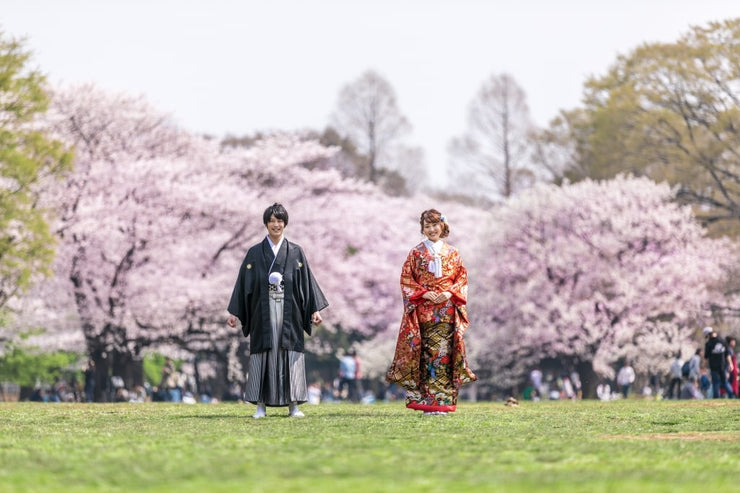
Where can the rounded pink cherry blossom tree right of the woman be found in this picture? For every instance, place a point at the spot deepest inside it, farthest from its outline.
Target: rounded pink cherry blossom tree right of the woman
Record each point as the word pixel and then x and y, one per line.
pixel 591 273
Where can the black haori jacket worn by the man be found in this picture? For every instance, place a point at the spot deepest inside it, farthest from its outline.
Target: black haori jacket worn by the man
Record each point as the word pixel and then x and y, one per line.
pixel 250 302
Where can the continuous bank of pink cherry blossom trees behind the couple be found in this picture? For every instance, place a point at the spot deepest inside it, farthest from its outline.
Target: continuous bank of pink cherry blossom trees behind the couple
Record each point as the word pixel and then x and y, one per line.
pixel 153 223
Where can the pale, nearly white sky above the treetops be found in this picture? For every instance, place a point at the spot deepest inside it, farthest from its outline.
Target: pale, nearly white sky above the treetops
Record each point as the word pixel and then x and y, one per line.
pixel 237 67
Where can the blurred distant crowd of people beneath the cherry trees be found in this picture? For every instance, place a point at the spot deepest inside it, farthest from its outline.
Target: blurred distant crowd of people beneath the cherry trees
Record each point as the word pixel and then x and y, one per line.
pixel 711 372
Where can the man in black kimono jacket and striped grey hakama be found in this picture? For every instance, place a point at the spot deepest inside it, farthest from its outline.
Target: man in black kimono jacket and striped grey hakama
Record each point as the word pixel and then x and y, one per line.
pixel 276 299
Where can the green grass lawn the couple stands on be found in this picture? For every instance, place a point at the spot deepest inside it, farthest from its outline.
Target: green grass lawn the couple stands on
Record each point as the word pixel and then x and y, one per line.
pixel 621 446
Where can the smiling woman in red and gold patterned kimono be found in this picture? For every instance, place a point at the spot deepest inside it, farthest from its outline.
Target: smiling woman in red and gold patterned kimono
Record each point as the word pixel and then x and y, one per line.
pixel 430 361
